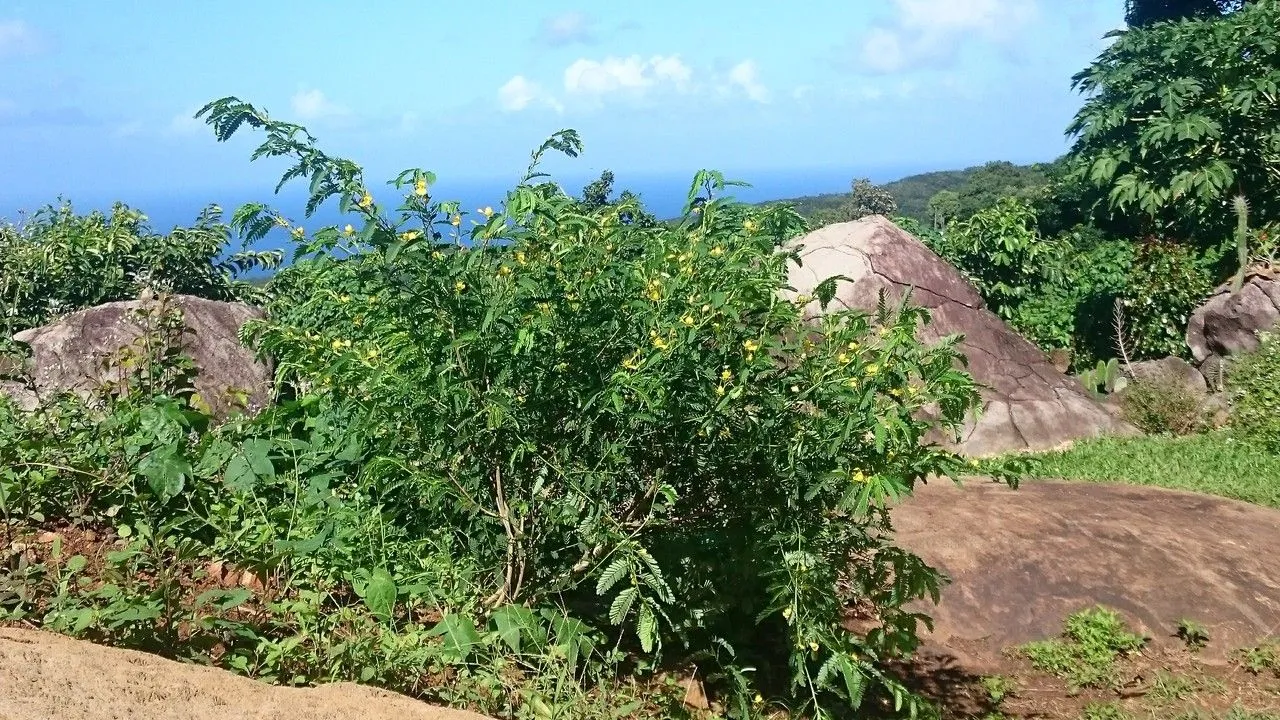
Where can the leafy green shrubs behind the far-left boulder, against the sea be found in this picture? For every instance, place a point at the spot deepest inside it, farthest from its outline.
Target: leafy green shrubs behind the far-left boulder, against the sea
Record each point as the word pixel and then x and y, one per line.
pixel 58 262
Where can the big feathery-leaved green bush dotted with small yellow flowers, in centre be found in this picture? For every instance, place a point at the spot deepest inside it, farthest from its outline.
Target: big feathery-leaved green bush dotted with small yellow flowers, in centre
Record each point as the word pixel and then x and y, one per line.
pixel 629 426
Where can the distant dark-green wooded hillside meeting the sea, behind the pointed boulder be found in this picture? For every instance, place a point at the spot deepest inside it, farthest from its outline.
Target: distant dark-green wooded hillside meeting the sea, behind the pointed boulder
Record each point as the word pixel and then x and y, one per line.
pixel 977 188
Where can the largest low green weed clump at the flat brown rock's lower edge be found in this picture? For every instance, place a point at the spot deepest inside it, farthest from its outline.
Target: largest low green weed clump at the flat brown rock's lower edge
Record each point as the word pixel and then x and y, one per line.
pixel 1086 654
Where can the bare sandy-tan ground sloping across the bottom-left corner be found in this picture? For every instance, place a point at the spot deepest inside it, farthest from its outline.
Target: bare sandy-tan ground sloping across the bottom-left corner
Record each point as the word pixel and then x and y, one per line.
pixel 44 676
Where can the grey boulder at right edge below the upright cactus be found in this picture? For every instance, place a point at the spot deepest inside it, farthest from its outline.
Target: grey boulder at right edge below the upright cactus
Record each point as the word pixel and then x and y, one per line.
pixel 1229 323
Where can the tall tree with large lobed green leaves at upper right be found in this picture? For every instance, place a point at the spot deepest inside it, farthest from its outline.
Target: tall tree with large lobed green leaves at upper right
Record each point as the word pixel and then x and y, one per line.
pixel 1183 116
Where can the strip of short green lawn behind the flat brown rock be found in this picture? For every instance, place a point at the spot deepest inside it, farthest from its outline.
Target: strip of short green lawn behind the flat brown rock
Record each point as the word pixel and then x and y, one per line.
pixel 1213 464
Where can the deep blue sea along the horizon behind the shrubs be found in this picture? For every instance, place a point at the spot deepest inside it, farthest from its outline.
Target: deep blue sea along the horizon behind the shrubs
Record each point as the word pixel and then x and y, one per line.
pixel 664 195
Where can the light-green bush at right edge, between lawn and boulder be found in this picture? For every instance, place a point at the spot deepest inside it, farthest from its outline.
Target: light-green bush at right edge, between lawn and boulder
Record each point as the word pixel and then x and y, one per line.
pixel 1255 385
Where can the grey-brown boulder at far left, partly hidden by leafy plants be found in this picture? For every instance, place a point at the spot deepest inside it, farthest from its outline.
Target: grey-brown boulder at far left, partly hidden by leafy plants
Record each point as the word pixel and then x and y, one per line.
pixel 75 353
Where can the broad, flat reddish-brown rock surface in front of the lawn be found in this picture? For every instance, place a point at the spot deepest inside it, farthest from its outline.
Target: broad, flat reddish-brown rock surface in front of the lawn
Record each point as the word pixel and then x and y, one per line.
pixel 1023 560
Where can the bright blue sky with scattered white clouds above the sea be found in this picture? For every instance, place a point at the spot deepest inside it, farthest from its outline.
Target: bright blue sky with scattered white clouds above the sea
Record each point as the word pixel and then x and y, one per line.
pixel 97 98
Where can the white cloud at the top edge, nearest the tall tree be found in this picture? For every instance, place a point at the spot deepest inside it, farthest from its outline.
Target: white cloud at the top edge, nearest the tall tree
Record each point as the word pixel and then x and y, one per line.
pixel 927 31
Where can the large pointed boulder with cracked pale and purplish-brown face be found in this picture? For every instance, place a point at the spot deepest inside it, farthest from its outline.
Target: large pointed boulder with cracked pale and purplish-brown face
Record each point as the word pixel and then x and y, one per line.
pixel 1027 403
